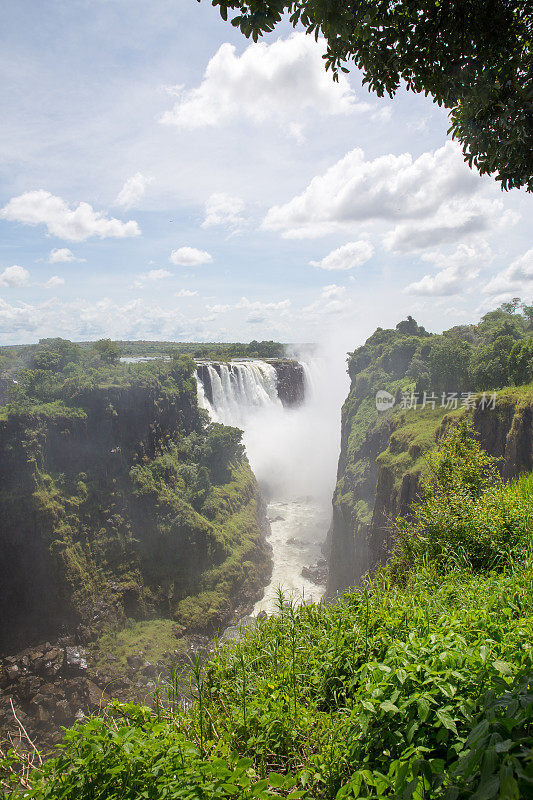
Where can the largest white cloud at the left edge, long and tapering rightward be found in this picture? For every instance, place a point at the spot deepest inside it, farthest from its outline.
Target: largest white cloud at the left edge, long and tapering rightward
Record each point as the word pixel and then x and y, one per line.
pixel 43 208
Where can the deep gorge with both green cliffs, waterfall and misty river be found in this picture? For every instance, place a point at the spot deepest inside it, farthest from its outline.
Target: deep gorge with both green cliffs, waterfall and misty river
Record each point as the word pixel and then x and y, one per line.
pixel 147 505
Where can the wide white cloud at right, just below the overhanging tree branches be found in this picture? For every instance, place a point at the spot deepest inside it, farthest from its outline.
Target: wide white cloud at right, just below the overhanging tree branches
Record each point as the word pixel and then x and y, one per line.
pixel 390 188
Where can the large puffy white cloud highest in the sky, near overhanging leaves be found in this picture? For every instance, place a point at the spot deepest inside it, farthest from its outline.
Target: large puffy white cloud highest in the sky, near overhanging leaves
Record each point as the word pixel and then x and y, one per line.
pixel 277 81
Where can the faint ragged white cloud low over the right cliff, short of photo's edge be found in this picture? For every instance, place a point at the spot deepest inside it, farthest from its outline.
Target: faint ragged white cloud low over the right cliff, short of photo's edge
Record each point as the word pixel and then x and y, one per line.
pixel 455 270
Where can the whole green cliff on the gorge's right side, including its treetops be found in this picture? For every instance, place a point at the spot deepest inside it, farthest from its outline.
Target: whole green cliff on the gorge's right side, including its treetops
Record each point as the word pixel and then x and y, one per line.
pixel 433 379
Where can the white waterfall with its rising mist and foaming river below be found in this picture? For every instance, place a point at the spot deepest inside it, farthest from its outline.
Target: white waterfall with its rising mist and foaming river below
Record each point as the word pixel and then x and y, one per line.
pixel 293 453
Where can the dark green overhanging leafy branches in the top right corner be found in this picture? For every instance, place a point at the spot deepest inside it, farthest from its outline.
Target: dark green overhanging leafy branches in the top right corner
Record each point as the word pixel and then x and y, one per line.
pixel 472 56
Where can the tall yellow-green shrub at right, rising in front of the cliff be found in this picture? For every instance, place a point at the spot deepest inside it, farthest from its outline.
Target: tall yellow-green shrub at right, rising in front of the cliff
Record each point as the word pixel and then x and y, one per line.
pixel 467 515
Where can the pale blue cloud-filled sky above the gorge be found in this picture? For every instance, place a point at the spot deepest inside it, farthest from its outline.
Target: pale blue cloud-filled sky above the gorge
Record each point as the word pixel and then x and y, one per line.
pixel 163 178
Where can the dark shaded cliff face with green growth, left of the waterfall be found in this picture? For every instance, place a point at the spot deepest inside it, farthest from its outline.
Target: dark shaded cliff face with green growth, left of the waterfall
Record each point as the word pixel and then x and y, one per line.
pixel 107 511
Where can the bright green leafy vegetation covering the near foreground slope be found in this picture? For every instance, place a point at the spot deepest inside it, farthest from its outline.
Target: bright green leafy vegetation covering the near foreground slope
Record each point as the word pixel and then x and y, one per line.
pixel 418 684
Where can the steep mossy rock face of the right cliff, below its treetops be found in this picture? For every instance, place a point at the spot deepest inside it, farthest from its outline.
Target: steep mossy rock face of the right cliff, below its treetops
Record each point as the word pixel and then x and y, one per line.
pixel 382 460
